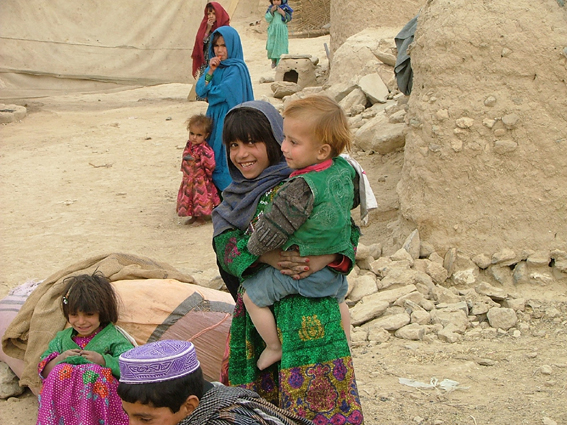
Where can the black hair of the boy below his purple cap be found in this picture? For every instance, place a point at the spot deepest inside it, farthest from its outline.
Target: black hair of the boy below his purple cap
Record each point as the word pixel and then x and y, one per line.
pixel 172 393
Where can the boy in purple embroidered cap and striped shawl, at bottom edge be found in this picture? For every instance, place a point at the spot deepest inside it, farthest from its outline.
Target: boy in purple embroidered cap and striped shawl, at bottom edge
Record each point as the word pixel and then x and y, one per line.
pixel 161 383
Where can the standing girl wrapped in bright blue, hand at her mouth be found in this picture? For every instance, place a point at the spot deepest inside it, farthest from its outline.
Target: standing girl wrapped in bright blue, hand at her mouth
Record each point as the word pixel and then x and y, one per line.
pixel 225 83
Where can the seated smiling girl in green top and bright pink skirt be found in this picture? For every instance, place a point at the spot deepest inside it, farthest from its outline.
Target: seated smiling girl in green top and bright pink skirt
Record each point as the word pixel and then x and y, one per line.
pixel 80 368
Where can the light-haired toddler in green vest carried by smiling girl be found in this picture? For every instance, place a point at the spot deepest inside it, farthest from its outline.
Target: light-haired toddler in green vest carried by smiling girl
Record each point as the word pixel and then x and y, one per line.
pixel 310 213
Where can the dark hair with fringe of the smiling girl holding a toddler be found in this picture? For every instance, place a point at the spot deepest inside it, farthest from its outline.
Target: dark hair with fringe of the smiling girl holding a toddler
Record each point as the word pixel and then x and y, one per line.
pixel 249 124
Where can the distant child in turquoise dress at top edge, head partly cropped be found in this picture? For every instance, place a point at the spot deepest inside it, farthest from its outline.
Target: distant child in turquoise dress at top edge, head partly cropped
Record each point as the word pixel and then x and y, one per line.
pixel 278 15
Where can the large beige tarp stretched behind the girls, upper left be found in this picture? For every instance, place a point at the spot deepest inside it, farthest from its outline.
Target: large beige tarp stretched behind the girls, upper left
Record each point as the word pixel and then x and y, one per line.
pixel 49 46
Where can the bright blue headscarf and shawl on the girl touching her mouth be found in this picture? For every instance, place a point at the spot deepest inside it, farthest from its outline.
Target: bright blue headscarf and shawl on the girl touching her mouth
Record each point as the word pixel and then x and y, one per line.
pixel 238 86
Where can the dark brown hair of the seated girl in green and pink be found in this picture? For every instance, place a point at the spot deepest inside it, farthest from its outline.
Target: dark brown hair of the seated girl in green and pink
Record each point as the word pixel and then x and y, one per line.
pixel 90 294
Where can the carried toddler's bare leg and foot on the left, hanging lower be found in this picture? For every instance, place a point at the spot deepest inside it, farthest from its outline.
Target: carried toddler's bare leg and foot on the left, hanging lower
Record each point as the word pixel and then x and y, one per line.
pixel 265 323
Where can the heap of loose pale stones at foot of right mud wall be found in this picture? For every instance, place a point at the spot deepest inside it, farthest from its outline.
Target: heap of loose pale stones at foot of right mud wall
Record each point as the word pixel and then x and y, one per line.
pixel 413 297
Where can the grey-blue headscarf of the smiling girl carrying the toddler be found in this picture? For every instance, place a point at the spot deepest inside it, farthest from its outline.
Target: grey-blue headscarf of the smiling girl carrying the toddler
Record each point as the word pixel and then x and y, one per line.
pixel 241 197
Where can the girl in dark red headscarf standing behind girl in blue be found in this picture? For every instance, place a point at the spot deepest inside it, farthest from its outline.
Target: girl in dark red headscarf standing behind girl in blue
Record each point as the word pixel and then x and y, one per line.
pixel 215 16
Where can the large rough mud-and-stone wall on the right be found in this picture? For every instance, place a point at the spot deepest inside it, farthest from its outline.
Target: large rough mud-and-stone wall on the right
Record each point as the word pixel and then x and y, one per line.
pixel 486 156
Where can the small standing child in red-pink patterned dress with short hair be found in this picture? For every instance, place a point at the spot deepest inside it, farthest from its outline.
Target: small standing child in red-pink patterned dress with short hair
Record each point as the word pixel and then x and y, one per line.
pixel 197 194
